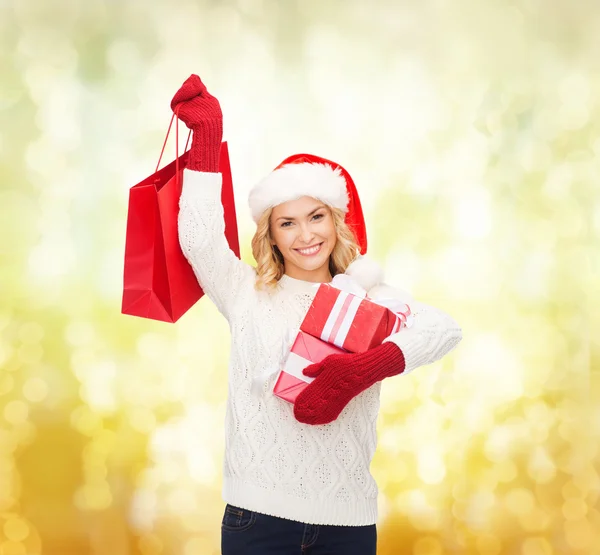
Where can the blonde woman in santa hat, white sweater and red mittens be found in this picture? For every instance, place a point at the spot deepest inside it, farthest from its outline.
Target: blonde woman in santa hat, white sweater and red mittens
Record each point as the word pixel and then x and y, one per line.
pixel 296 477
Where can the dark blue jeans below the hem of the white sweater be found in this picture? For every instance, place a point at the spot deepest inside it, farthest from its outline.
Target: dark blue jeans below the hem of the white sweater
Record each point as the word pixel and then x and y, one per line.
pixel 245 532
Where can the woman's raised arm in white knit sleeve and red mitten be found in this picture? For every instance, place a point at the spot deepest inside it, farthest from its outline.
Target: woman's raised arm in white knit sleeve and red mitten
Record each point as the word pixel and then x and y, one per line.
pixel 222 276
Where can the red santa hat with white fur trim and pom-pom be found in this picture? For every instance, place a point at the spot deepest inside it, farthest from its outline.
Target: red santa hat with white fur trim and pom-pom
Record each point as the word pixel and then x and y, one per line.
pixel 308 175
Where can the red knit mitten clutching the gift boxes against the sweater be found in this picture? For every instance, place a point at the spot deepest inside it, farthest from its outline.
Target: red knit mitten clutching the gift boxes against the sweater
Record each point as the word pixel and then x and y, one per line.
pixel 339 378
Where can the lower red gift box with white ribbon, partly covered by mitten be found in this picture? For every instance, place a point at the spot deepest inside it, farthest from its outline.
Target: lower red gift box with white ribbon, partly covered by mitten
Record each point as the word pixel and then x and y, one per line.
pixel 305 351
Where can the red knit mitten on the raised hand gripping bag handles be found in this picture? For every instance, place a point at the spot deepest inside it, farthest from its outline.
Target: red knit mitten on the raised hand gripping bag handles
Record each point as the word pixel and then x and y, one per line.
pixel 201 112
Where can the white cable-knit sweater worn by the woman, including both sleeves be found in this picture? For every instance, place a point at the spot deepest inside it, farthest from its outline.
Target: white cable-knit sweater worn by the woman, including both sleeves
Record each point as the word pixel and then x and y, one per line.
pixel 273 463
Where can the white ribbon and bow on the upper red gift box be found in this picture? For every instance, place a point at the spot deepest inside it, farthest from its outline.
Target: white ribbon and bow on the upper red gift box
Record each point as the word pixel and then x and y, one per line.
pixel 344 310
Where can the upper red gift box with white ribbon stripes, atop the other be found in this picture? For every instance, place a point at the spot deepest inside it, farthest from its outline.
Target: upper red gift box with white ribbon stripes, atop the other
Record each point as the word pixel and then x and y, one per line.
pixel 348 321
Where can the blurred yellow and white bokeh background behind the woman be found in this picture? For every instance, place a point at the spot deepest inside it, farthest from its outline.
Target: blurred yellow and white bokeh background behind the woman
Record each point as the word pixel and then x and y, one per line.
pixel 472 129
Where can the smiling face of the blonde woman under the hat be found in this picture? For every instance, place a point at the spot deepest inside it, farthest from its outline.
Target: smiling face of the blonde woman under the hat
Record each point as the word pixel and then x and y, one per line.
pixel 304 232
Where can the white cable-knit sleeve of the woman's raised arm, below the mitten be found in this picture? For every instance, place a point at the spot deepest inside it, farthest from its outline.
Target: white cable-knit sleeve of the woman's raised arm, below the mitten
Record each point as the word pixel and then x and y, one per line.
pixel 220 273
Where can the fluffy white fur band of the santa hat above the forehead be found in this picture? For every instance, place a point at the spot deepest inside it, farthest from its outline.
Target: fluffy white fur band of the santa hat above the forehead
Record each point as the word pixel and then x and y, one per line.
pixel 292 181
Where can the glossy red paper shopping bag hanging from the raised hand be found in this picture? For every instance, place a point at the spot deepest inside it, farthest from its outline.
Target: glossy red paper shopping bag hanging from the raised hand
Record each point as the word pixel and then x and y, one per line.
pixel 158 281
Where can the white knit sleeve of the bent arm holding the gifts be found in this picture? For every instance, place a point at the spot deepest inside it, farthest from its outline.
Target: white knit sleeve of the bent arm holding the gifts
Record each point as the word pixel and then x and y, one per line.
pixel 432 335
